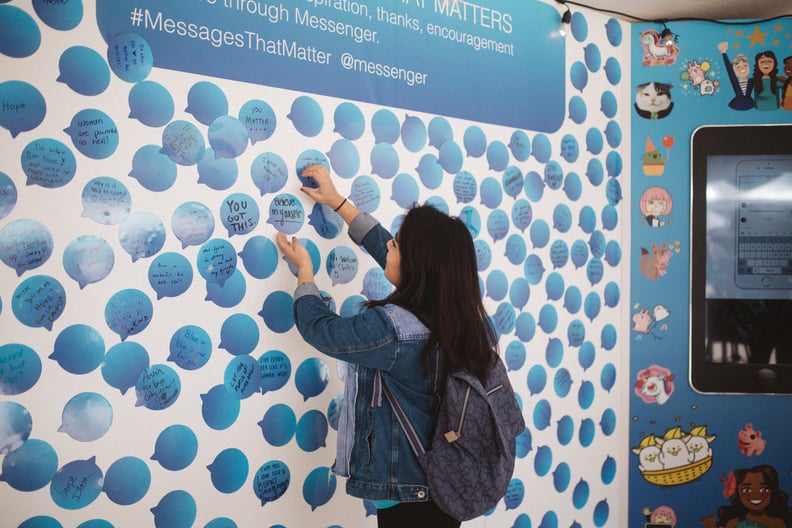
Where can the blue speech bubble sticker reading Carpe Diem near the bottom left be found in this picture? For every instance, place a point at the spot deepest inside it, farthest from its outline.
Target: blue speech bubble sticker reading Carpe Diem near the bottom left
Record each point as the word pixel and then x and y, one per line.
pixel 82 475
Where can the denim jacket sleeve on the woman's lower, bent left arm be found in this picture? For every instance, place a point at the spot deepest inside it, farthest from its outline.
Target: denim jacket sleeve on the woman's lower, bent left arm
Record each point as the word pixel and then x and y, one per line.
pixel 367 338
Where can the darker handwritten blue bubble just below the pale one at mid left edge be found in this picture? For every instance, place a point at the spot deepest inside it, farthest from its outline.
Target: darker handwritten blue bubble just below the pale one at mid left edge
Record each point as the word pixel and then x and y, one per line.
pixel 38 301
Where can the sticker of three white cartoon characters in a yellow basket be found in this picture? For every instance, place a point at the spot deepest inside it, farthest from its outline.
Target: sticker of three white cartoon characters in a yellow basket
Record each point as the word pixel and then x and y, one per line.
pixel 677 457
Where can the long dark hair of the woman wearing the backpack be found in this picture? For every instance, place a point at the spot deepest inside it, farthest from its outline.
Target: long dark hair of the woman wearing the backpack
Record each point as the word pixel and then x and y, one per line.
pixel 439 283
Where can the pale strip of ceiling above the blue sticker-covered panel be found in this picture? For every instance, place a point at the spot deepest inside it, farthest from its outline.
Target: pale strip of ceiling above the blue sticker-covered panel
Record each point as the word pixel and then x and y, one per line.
pixel 653 10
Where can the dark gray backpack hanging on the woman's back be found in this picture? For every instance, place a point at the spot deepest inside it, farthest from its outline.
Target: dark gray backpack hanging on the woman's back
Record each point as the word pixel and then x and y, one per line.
pixel 471 460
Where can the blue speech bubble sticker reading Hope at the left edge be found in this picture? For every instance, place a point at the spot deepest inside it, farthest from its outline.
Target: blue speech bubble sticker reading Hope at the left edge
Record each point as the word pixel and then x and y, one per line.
pixel 24 107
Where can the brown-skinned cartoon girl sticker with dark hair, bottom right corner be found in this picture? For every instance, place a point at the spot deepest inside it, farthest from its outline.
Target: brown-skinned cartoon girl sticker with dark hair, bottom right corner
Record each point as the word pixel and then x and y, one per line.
pixel 756 501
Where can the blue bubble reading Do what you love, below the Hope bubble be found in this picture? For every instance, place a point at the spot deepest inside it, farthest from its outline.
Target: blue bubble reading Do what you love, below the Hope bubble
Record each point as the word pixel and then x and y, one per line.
pixel 48 163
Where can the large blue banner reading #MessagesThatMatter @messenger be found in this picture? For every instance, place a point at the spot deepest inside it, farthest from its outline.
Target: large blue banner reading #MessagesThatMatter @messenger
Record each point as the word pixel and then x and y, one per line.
pixel 372 56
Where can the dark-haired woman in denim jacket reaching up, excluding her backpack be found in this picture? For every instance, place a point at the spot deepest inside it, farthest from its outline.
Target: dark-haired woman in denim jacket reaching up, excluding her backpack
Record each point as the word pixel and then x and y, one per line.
pixel 432 323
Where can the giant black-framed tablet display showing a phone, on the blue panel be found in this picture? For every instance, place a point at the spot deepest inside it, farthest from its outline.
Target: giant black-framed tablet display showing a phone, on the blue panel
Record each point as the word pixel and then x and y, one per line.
pixel 741 259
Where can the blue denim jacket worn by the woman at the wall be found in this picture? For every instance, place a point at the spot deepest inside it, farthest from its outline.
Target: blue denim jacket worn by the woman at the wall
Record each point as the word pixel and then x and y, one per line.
pixel 372 450
